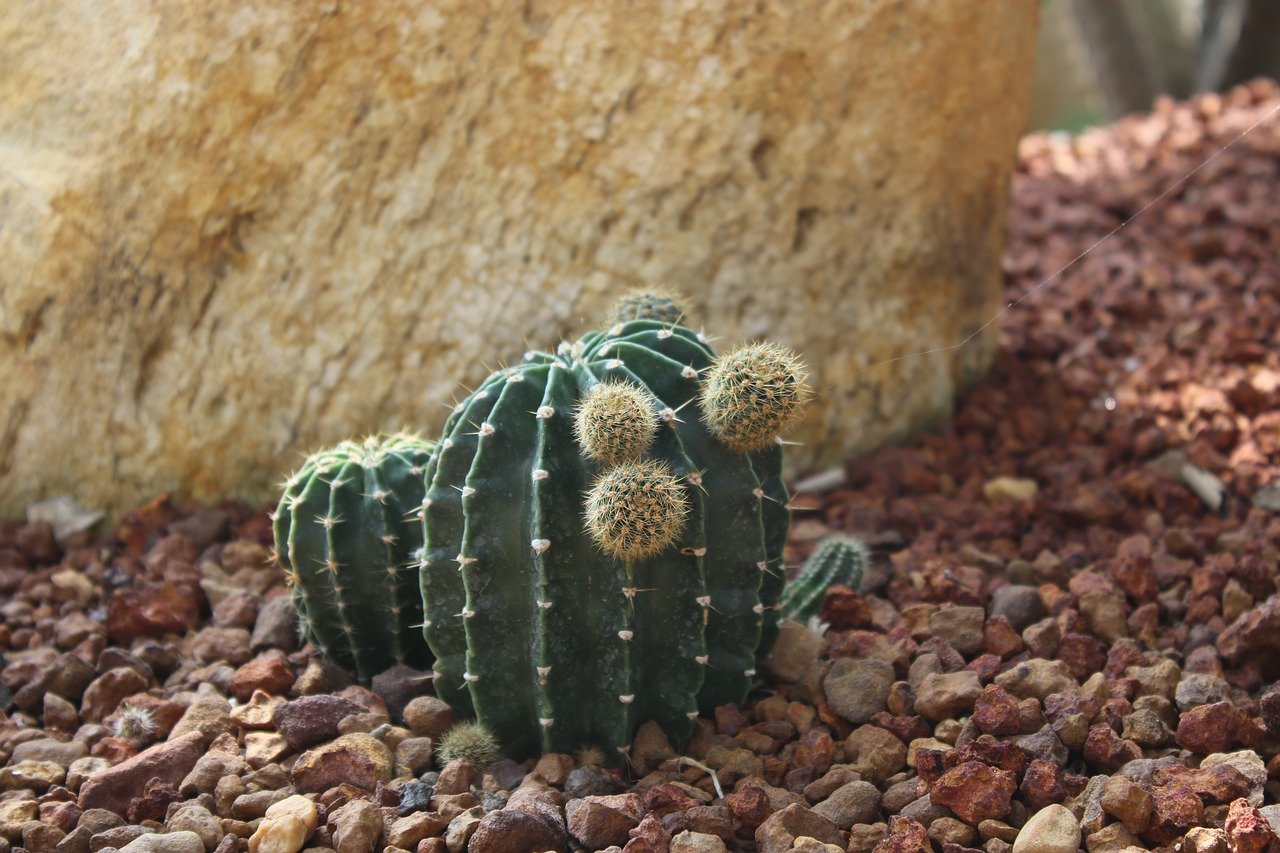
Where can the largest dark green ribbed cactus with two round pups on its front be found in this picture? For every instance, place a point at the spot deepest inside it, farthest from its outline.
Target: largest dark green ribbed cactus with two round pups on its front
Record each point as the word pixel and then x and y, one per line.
pixel 575 586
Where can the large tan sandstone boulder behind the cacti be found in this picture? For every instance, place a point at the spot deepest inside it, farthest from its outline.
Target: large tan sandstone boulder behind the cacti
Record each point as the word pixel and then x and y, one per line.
pixel 231 232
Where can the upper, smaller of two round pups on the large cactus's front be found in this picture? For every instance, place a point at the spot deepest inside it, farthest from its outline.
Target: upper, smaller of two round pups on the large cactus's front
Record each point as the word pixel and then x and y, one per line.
pixel 616 423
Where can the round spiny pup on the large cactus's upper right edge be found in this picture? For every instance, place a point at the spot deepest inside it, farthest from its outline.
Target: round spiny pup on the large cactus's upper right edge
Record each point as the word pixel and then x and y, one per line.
pixel 753 395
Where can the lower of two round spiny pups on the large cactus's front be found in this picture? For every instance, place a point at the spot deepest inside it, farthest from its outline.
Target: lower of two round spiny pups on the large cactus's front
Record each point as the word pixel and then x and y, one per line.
pixel 637 510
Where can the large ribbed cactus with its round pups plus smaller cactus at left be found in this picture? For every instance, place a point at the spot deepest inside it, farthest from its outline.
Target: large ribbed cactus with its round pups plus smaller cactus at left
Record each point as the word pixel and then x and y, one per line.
pixel 601 533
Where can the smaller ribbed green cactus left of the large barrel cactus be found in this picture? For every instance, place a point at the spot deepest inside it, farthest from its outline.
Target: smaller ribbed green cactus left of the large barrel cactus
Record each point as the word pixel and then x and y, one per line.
pixel 349 533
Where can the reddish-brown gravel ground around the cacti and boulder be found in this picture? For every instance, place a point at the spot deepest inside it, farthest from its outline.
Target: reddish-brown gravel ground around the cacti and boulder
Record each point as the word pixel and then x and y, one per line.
pixel 1068 640
